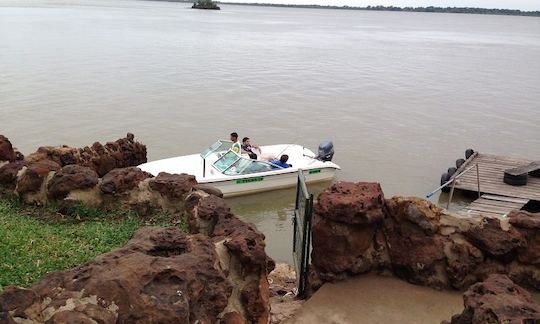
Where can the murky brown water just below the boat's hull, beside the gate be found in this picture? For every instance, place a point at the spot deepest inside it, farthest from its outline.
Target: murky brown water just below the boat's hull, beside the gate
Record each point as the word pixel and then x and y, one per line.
pixel 272 213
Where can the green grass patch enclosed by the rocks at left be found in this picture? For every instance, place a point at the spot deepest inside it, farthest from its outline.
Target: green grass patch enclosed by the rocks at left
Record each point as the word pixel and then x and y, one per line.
pixel 35 241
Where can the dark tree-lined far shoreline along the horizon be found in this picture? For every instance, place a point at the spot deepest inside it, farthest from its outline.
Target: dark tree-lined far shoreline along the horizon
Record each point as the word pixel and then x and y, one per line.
pixel 431 9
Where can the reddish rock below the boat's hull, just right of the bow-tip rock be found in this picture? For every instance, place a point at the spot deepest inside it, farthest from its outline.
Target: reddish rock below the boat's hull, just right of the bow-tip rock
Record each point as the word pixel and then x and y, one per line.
pixel 173 185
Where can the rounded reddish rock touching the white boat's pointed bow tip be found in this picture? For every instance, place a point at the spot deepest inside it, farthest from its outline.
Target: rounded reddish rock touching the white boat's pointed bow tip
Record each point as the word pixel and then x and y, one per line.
pixel 119 181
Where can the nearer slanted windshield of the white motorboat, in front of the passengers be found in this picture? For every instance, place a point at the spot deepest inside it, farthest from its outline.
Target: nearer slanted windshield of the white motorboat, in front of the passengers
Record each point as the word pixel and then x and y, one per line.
pixel 231 163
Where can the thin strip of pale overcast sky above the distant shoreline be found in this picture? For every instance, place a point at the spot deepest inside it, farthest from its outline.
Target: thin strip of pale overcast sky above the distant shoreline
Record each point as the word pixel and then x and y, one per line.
pixel 503 4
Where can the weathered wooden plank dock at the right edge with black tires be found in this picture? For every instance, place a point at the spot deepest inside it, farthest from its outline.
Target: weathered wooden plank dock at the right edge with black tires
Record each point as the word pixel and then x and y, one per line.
pixel 497 198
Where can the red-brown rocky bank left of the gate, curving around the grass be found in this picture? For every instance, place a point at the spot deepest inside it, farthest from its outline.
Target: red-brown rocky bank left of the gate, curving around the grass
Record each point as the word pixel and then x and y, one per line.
pixel 217 273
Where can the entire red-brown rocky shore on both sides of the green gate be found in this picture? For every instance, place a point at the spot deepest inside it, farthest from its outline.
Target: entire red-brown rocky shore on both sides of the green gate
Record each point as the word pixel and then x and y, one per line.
pixel 220 273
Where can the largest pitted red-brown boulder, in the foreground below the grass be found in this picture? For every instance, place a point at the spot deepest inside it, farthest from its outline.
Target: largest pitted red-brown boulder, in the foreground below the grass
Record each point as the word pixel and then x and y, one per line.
pixel 159 276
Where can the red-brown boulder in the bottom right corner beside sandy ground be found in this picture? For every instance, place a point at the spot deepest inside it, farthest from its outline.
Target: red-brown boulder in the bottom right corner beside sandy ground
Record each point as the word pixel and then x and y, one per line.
pixel 497 300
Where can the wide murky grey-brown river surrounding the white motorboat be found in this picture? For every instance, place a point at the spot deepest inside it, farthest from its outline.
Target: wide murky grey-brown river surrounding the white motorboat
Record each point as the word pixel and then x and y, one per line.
pixel 402 95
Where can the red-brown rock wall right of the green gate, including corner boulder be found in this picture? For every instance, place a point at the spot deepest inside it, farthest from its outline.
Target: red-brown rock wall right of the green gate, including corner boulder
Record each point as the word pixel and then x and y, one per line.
pixel 357 231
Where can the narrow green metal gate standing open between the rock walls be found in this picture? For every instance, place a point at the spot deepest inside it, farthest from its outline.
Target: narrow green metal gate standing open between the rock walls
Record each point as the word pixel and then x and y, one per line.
pixel 302 233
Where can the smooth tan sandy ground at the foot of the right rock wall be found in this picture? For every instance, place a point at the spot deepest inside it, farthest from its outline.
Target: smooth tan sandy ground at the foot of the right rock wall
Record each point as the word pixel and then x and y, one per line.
pixel 375 299
